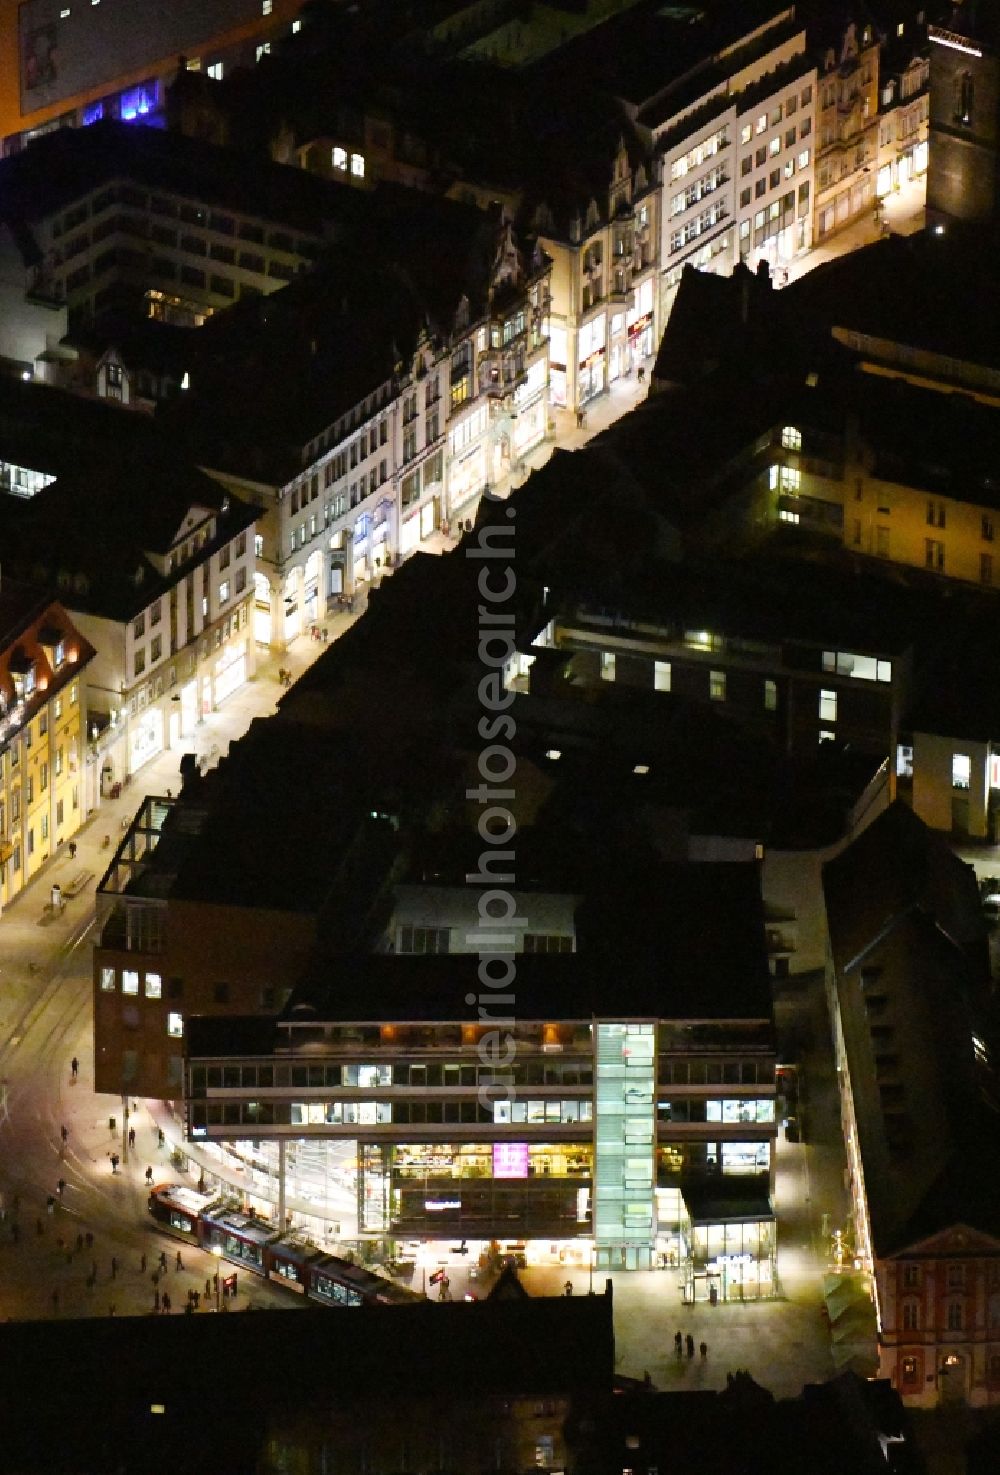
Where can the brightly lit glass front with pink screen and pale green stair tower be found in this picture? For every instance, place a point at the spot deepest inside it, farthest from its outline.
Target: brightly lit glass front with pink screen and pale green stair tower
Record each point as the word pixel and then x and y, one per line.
pixel 626 1144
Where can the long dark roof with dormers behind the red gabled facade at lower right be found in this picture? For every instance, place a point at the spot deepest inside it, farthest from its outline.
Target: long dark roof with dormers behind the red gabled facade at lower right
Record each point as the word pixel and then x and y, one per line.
pixel 914 986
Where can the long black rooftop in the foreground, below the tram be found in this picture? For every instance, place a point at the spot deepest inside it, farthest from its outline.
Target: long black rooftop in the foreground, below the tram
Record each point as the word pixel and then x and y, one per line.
pixel 123 1367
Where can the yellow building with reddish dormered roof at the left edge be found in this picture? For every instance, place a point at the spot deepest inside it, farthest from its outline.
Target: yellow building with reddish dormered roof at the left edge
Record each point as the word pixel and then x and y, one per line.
pixel 42 729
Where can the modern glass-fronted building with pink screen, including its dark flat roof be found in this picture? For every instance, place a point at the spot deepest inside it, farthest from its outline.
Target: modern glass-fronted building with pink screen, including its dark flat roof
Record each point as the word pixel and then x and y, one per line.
pixel 635 1123
